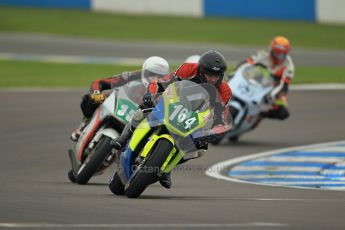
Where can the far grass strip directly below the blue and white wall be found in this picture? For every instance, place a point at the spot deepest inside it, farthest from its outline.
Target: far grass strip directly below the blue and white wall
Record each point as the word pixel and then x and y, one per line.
pixel 173 29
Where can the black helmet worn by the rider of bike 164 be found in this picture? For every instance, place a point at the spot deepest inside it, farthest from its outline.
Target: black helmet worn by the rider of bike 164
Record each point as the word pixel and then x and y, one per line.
pixel 212 63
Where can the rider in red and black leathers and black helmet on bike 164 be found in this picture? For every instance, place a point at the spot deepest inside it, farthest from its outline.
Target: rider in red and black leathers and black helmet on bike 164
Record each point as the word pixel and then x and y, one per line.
pixel 210 68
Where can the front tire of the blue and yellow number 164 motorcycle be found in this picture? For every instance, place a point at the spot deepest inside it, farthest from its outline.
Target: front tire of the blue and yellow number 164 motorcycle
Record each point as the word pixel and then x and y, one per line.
pixel 142 178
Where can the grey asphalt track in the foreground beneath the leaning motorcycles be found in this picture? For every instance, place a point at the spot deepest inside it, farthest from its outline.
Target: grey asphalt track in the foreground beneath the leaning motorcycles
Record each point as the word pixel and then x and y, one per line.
pixel 36 194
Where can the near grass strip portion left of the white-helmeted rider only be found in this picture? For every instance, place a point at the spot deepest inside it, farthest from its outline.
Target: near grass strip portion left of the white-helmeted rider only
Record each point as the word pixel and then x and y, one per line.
pixel 42 74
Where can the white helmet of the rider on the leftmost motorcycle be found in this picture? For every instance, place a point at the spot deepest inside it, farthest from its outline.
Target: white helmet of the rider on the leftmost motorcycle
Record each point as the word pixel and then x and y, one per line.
pixel 154 67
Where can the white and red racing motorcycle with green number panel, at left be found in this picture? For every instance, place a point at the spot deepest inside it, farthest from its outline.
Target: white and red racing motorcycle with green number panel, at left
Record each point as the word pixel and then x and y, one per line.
pixel 93 153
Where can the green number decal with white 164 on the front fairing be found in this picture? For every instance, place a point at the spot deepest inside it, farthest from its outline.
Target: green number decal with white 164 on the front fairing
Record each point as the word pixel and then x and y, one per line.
pixel 182 118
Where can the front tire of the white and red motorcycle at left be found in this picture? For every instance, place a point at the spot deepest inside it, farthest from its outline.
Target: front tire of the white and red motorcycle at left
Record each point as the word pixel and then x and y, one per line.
pixel 94 160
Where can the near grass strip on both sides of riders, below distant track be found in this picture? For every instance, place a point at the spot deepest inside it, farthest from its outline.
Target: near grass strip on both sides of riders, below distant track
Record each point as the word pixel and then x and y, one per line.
pixel 42 74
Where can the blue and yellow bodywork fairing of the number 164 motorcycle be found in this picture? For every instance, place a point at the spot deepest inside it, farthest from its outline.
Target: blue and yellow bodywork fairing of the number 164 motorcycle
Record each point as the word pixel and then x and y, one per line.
pixel 160 117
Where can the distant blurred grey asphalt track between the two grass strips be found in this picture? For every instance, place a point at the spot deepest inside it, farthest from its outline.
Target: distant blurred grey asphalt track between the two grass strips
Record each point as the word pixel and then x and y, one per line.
pixel 105 50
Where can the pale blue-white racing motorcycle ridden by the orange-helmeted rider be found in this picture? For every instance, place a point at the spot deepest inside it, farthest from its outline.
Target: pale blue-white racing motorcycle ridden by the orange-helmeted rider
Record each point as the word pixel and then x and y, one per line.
pixel 250 85
